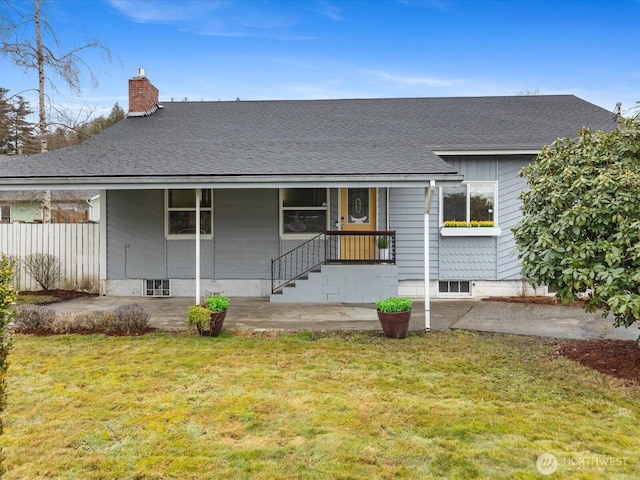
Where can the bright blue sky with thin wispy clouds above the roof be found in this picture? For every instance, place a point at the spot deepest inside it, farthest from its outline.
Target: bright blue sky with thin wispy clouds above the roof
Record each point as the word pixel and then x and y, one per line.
pixel 315 49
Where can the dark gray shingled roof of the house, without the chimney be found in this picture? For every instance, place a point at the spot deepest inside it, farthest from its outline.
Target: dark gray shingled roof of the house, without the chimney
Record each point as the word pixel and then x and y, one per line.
pixel 241 141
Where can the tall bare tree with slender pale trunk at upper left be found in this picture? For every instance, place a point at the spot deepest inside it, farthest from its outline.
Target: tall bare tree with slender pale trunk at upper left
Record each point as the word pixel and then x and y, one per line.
pixel 27 49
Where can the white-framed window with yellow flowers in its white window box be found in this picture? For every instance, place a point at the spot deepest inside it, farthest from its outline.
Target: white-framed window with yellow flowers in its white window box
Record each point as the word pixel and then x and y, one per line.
pixel 469 209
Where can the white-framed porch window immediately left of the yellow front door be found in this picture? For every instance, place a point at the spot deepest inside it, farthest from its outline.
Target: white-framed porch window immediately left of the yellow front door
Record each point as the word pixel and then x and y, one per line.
pixel 303 210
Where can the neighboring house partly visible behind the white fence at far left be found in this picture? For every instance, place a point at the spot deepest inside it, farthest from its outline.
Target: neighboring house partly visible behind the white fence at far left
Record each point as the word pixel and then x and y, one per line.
pixel 67 206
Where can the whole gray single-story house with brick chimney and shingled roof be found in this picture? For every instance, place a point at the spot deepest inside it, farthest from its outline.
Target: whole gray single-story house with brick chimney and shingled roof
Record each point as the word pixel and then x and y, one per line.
pixel 324 179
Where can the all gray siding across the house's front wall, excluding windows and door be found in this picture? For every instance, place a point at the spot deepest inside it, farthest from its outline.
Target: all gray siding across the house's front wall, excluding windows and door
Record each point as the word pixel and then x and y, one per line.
pixel 246 232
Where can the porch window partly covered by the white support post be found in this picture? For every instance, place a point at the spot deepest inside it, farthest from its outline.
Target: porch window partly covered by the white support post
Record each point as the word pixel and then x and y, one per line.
pixel 181 213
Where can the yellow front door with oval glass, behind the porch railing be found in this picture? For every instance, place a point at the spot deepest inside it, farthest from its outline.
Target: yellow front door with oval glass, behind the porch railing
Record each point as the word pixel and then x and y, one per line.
pixel 358 214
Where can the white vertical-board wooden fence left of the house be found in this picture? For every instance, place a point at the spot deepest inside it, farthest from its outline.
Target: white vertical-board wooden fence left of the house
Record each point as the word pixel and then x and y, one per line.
pixel 76 245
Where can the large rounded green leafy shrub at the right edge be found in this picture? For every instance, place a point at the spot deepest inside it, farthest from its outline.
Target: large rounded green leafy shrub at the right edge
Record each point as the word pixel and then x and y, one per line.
pixel 579 232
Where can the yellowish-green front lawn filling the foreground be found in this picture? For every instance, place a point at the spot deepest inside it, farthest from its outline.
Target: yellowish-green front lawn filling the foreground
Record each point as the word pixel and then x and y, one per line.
pixel 311 406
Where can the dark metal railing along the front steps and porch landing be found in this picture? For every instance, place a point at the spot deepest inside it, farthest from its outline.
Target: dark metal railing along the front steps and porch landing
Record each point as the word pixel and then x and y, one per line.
pixel 336 247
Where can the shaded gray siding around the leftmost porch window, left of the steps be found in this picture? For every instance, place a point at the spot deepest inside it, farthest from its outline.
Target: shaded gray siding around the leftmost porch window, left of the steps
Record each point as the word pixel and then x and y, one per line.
pixel 245 237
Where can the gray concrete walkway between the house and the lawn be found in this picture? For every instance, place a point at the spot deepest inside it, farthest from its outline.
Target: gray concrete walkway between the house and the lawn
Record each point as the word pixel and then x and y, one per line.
pixel 485 316
